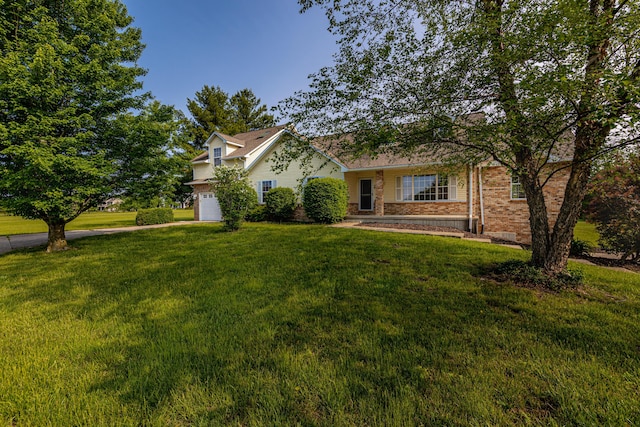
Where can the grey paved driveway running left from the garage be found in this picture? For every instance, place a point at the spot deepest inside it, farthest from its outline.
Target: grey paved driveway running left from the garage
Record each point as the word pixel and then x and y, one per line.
pixel 21 241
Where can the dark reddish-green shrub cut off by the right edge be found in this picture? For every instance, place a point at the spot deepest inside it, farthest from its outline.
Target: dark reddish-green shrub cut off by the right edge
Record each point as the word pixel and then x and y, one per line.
pixel 615 206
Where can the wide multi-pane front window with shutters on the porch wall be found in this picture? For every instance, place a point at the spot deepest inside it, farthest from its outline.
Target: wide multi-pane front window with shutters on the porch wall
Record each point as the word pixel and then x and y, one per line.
pixel 426 188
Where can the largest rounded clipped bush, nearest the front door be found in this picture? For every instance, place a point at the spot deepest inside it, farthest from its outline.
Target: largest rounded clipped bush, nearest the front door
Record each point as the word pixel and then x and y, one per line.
pixel 325 200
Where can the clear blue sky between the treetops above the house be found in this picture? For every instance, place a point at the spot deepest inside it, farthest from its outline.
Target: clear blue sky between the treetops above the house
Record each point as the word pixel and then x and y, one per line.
pixel 264 45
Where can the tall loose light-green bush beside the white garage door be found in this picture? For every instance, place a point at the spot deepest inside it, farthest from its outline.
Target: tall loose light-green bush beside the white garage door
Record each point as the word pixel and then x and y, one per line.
pixel 234 193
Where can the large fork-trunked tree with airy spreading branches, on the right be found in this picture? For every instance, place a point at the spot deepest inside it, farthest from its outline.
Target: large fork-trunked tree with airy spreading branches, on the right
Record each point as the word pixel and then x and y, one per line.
pixel 551 77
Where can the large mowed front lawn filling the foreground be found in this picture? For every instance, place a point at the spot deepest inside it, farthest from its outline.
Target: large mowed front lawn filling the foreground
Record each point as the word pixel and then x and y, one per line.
pixel 307 325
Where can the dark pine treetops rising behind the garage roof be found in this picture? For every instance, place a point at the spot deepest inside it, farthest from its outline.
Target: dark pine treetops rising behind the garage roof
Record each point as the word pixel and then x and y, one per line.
pixel 214 111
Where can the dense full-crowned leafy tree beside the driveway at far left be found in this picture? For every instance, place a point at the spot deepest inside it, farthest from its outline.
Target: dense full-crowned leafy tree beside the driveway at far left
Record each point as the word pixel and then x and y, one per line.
pixel 67 70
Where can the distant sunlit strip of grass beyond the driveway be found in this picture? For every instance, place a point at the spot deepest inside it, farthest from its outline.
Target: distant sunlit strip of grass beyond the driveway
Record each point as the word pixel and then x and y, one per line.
pixel 10 225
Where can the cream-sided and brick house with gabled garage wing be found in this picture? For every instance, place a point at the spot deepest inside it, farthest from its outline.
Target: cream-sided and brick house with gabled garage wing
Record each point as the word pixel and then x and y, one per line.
pixel 481 198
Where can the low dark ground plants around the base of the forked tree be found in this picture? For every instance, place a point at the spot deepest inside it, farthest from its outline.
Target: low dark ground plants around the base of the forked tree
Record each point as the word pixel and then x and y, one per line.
pixel 524 273
